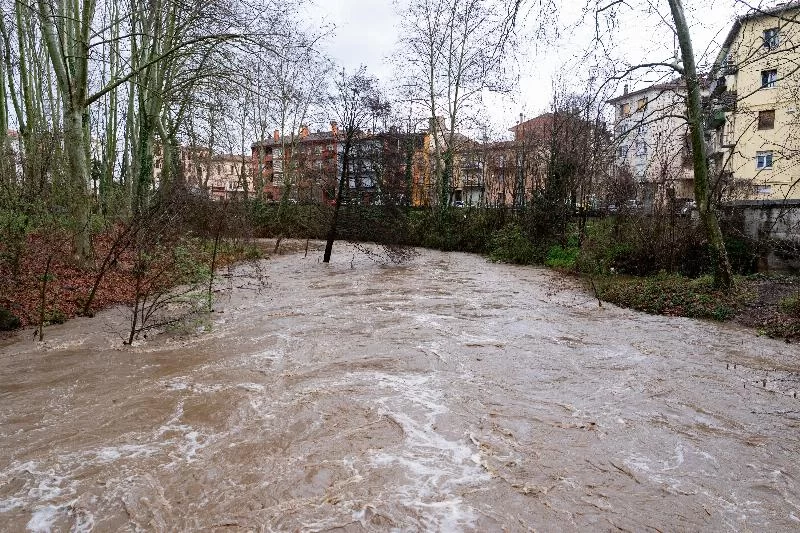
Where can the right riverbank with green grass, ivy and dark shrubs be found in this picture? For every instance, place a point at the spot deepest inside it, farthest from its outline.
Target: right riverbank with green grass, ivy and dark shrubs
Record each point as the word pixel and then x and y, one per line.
pixel 662 270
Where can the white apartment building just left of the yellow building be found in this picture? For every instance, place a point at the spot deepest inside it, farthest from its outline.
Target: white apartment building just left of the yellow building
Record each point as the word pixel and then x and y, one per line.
pixel 652 144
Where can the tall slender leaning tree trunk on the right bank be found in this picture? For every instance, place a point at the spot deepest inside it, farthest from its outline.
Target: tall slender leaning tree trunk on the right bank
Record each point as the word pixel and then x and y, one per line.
pixel 723 276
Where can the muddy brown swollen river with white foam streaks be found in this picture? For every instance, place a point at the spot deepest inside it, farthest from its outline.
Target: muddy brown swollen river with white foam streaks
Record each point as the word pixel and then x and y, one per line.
pixel 443 394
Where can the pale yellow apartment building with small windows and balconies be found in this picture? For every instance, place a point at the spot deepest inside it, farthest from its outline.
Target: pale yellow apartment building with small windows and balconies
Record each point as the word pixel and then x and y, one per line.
pixel 757 142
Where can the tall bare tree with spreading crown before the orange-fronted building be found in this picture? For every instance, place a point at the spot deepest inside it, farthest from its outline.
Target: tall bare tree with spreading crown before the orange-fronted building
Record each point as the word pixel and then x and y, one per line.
pixel 453 51
